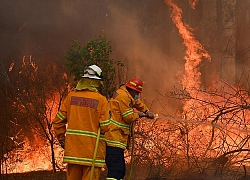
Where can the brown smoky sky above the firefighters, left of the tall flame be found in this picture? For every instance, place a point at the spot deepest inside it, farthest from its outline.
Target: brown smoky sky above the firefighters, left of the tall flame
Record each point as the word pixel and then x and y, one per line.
pixel 136 29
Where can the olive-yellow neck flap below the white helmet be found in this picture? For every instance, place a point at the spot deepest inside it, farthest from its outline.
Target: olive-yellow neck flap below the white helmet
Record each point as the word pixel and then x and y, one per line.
pixel 90 84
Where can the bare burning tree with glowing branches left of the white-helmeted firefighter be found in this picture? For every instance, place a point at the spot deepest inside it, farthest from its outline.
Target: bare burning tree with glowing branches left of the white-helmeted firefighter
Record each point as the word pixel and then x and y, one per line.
pixel 37 94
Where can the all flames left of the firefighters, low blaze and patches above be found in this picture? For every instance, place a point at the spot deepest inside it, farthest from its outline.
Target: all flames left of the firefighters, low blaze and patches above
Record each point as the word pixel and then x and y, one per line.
pixel 33 155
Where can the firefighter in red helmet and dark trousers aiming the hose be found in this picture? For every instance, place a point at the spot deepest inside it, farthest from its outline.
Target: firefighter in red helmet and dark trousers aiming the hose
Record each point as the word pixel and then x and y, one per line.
pixel 123 105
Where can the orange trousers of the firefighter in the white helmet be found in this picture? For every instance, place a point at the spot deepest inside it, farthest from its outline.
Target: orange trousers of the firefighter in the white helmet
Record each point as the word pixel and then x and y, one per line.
pixel 80 172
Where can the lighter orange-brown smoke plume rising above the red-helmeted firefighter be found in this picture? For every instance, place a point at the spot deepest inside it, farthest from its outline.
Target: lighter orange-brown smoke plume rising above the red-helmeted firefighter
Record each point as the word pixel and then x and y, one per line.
pixel 140 41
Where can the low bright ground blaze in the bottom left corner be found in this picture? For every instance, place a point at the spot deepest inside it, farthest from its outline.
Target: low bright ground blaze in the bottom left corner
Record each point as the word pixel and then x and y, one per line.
pixel 31 156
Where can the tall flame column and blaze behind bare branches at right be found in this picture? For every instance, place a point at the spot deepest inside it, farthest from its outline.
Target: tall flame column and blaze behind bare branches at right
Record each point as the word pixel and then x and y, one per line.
pixel 222 108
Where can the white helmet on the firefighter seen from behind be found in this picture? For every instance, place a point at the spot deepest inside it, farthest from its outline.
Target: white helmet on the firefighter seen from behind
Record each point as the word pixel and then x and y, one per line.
pixel 93 72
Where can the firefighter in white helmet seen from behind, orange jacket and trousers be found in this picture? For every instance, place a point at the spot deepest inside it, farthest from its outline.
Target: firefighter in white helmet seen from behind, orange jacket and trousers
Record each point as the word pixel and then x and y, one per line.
pixel 85 112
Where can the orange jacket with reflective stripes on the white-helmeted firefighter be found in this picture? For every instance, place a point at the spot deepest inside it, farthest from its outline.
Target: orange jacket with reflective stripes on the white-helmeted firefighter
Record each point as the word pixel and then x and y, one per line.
pixel 83 112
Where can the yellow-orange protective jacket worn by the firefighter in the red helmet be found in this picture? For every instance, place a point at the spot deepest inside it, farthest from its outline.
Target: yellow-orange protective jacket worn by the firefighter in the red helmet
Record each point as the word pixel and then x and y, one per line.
pixel 122 105
